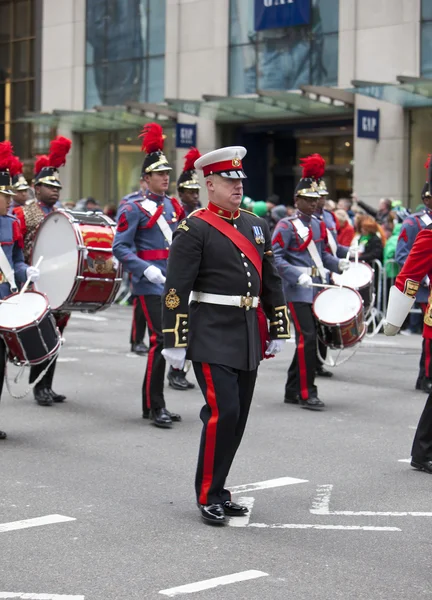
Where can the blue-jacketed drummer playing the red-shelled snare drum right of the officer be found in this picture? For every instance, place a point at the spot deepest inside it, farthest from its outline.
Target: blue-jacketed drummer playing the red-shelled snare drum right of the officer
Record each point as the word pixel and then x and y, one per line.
pixel 300 249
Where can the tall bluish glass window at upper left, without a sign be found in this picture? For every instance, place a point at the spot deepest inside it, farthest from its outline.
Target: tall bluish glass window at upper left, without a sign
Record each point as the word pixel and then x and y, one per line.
pixel 125 51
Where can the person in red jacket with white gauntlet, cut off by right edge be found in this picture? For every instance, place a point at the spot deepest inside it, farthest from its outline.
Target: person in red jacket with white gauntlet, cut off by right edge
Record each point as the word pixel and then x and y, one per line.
pixel 402 296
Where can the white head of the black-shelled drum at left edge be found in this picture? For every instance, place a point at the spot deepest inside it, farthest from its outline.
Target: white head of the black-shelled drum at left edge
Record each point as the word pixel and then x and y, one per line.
pixel 18 311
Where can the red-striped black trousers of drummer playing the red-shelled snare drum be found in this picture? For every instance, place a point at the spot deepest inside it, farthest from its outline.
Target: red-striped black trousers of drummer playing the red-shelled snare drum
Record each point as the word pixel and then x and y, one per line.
pixel 301 373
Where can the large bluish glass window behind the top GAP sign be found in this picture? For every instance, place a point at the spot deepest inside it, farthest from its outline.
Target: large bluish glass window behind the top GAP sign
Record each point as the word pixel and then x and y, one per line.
pixel 282 59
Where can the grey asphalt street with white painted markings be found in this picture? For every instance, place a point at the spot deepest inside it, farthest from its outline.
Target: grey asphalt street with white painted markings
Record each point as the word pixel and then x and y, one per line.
pixel 349 520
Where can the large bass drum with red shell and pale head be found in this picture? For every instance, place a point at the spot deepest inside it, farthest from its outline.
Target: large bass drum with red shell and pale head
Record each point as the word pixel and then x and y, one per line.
pixel 78 271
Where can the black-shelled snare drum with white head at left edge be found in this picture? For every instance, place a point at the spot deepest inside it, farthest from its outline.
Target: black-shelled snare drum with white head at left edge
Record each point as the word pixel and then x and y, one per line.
pixel 28 328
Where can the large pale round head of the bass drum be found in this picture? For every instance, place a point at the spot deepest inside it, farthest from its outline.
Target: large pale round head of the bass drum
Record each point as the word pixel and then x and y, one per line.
pixel 57 243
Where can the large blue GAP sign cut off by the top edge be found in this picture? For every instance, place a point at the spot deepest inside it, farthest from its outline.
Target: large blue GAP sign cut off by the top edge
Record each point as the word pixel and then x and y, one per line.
pixel 272 14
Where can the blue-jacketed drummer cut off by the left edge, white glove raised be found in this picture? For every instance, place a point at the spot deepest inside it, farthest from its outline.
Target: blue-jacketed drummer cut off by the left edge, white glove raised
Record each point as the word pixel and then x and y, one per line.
pixel 11 243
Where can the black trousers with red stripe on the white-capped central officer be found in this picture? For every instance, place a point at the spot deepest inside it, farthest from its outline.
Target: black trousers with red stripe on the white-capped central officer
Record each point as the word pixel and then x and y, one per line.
pixel 228 394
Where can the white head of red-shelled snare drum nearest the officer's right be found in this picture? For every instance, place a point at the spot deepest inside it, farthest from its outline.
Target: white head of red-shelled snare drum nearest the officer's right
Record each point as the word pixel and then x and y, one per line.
pixel 337 305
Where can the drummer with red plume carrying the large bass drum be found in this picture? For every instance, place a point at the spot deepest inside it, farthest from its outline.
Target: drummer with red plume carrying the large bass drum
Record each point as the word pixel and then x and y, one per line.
pixel 47 186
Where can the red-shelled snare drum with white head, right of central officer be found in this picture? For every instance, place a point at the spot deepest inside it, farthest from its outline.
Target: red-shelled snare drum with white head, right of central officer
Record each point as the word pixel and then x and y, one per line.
pixel 339 313
